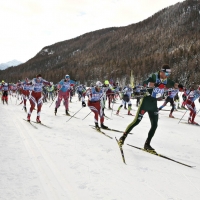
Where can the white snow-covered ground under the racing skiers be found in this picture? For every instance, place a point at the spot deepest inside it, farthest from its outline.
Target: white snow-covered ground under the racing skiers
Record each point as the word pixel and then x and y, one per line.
pixel 73 161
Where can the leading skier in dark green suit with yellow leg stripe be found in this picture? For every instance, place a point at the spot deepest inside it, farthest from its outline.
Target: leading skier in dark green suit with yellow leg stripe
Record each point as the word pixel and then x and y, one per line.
pixel 156 84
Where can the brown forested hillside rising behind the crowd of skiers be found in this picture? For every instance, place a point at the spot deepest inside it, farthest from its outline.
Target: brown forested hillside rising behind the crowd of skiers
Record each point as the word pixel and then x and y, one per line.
pixel 170 36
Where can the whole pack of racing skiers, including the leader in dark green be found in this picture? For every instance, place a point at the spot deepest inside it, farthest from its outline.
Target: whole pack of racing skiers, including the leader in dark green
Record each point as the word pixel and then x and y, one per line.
pixel 147 95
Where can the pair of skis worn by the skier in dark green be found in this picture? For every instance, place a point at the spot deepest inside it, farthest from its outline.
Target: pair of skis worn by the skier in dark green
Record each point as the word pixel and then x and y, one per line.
pixel 151 152
